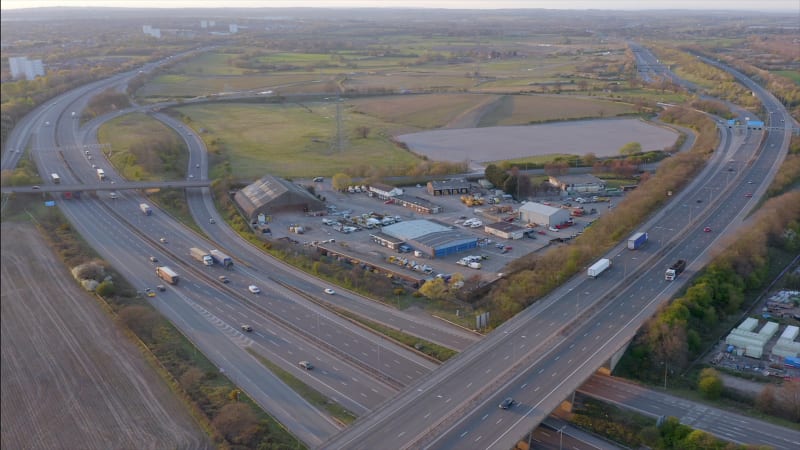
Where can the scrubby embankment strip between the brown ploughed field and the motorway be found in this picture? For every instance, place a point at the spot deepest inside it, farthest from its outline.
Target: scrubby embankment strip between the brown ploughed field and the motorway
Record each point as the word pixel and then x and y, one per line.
pixel 210 395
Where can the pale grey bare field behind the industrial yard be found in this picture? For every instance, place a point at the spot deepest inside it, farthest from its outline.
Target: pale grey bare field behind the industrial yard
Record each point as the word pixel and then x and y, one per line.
pixel 601 137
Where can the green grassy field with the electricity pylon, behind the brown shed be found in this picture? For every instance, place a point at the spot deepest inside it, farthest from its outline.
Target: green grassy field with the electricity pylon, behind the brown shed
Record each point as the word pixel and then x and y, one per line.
pixel 291 140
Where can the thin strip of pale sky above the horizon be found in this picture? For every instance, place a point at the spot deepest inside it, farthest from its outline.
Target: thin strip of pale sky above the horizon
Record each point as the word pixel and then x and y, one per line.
pixel 760 5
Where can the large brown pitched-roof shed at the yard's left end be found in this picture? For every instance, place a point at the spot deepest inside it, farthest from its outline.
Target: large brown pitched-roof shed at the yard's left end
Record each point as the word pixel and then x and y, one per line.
pixel 270 195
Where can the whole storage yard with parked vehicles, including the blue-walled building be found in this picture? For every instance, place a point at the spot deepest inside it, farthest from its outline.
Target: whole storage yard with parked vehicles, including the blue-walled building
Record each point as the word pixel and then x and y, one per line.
pixel 399 234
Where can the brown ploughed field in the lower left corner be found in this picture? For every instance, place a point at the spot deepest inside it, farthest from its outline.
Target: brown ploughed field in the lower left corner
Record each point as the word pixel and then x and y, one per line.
pixel 70 378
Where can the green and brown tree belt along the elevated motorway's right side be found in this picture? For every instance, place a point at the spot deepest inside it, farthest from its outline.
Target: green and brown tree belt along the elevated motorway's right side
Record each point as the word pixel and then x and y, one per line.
pixel 684 328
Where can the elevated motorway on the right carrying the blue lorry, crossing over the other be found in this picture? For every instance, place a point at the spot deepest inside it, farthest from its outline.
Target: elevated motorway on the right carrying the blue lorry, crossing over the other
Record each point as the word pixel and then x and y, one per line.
pixel 550 349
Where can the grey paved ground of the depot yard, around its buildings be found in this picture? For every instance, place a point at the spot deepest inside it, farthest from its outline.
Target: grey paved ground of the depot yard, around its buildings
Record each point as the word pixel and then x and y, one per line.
pixel 361 245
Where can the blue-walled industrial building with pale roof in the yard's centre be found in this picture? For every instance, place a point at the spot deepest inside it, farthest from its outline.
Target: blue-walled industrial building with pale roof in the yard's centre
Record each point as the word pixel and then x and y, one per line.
pixel 429 238
